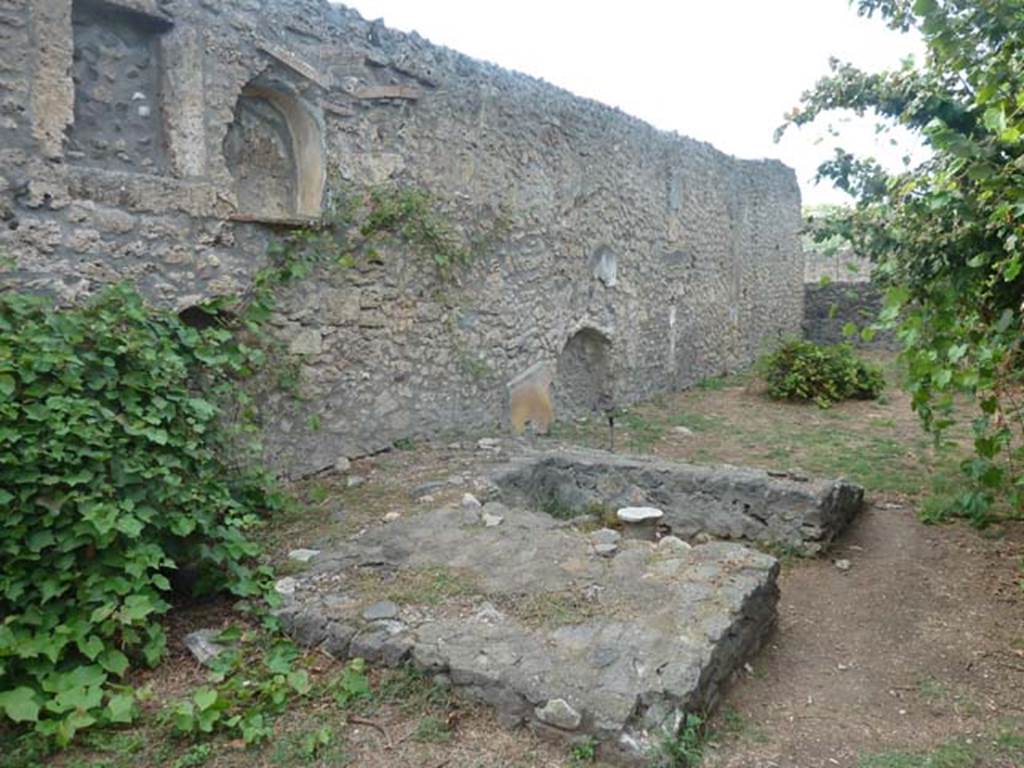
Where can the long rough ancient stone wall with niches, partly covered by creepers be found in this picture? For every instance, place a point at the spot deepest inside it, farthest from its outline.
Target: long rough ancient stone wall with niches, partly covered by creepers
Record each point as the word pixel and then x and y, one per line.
pixel 169 142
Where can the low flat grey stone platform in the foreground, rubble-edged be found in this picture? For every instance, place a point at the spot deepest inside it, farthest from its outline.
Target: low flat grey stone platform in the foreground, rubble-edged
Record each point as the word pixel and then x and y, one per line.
pixel 523 612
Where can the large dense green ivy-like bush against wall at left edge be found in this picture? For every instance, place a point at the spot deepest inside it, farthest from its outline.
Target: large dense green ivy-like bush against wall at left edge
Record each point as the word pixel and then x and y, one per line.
pixel 114 473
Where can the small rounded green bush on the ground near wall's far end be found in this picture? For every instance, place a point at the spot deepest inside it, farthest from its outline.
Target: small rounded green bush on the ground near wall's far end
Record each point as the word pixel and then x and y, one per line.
pixel 805 371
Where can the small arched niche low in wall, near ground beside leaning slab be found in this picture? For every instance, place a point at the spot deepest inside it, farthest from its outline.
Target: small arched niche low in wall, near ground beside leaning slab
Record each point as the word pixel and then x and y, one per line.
pixel 584 380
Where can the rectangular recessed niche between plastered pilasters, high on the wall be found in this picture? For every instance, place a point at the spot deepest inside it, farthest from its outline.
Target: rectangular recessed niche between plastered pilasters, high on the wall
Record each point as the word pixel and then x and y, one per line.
pixel 117 74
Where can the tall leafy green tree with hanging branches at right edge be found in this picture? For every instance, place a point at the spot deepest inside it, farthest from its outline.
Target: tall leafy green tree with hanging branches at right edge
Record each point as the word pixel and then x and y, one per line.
pixel 946 235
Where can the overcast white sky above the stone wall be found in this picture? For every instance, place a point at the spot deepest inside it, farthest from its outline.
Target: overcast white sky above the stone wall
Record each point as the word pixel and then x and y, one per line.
pixel 720 71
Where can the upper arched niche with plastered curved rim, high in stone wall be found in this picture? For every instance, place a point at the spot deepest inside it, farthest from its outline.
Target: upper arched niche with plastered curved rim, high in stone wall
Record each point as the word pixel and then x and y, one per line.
pixel 275 151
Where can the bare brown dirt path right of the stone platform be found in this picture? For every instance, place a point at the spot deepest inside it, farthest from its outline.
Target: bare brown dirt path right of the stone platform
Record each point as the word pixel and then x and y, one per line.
pixel 917 645
